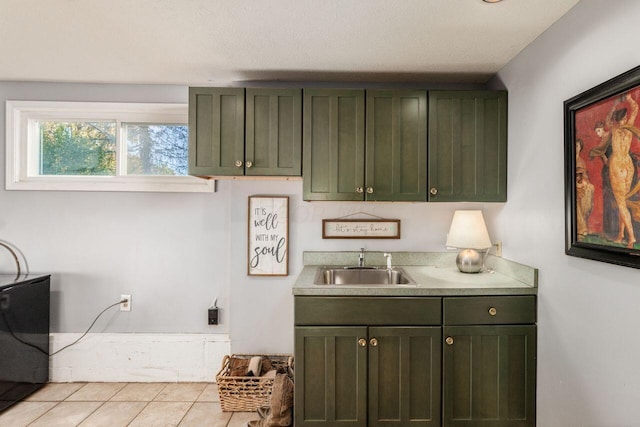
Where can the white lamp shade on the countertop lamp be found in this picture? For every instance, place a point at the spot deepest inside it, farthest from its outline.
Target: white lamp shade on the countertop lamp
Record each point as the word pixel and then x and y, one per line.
pixel 468 231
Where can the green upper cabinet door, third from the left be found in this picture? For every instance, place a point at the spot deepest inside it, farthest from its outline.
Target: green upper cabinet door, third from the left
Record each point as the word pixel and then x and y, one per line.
pixel 333 141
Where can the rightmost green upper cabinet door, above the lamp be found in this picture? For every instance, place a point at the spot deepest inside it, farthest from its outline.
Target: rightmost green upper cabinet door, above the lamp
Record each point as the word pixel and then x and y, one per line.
pixel 468 146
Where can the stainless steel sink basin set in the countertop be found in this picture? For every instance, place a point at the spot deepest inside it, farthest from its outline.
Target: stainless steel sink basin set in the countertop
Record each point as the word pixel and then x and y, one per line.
pixel 365 276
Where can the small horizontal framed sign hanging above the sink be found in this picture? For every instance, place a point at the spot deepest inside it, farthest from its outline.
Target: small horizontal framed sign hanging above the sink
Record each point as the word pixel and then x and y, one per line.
pixel 360 229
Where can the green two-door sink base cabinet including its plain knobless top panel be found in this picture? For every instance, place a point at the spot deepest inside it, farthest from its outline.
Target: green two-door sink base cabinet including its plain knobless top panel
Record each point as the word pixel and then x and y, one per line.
pixel 356 367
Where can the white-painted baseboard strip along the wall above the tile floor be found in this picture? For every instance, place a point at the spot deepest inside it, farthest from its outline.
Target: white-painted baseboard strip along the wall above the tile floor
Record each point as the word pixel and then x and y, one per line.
pixel 133 357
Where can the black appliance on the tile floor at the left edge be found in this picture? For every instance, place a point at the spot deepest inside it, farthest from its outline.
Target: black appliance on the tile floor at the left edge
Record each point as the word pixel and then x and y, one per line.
pixel 24 336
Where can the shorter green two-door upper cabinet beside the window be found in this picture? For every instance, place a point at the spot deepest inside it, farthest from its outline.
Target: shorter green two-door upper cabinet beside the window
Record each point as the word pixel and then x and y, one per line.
pixel 217 128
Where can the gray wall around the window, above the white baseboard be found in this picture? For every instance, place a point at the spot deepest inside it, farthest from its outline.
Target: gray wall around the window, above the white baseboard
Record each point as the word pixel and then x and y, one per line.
pixel 163 249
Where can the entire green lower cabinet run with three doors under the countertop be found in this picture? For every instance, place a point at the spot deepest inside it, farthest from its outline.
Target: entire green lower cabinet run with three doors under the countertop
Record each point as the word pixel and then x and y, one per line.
pixel 452 361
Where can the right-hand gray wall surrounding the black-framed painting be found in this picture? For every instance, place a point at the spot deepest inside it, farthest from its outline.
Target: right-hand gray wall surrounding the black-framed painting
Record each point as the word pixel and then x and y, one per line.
pixel 588 314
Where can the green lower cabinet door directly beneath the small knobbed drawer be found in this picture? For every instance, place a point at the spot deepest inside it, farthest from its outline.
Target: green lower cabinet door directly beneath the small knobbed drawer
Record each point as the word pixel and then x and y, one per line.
pixel 489 376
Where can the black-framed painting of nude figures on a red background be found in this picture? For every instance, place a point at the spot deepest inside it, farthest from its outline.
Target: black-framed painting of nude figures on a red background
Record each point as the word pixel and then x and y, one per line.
pixel 597 238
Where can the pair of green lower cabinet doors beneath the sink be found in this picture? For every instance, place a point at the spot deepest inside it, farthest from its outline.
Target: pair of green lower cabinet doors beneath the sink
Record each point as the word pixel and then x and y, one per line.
pixel 359 376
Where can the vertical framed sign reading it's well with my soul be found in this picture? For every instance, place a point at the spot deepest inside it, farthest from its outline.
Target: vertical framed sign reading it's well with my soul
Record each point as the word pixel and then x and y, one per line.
pixel 268 236
